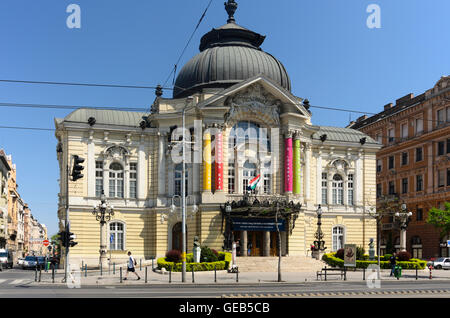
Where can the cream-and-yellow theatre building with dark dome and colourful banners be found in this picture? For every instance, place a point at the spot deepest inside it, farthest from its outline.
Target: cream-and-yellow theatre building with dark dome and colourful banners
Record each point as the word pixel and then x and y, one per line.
pixel 252 150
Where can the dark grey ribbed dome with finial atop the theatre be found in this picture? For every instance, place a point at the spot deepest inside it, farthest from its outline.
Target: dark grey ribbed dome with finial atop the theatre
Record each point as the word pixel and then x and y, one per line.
pixel 229 55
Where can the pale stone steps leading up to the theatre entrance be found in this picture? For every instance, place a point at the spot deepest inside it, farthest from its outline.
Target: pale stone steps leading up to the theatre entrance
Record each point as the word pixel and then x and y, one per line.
pixel 270 264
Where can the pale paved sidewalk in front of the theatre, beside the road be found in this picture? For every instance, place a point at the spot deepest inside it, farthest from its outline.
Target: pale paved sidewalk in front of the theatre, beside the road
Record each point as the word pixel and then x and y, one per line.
pixel 223 277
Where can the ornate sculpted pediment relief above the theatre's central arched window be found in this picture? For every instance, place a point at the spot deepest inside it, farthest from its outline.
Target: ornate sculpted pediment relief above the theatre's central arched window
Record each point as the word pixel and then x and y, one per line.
pixel 254 101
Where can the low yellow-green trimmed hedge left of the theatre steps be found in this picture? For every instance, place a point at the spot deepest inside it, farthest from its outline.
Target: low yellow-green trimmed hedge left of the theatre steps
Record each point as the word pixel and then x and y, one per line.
pixel 222 264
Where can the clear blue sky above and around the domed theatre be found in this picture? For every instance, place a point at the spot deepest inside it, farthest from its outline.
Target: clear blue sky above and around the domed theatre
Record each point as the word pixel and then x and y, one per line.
pixel 331 55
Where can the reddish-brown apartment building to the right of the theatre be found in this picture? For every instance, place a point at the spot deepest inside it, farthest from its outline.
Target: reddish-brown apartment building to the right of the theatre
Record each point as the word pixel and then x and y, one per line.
pixel 414 164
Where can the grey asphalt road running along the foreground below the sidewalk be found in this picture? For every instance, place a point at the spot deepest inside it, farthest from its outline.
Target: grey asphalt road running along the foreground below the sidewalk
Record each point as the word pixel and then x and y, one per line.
pixel 18 283
